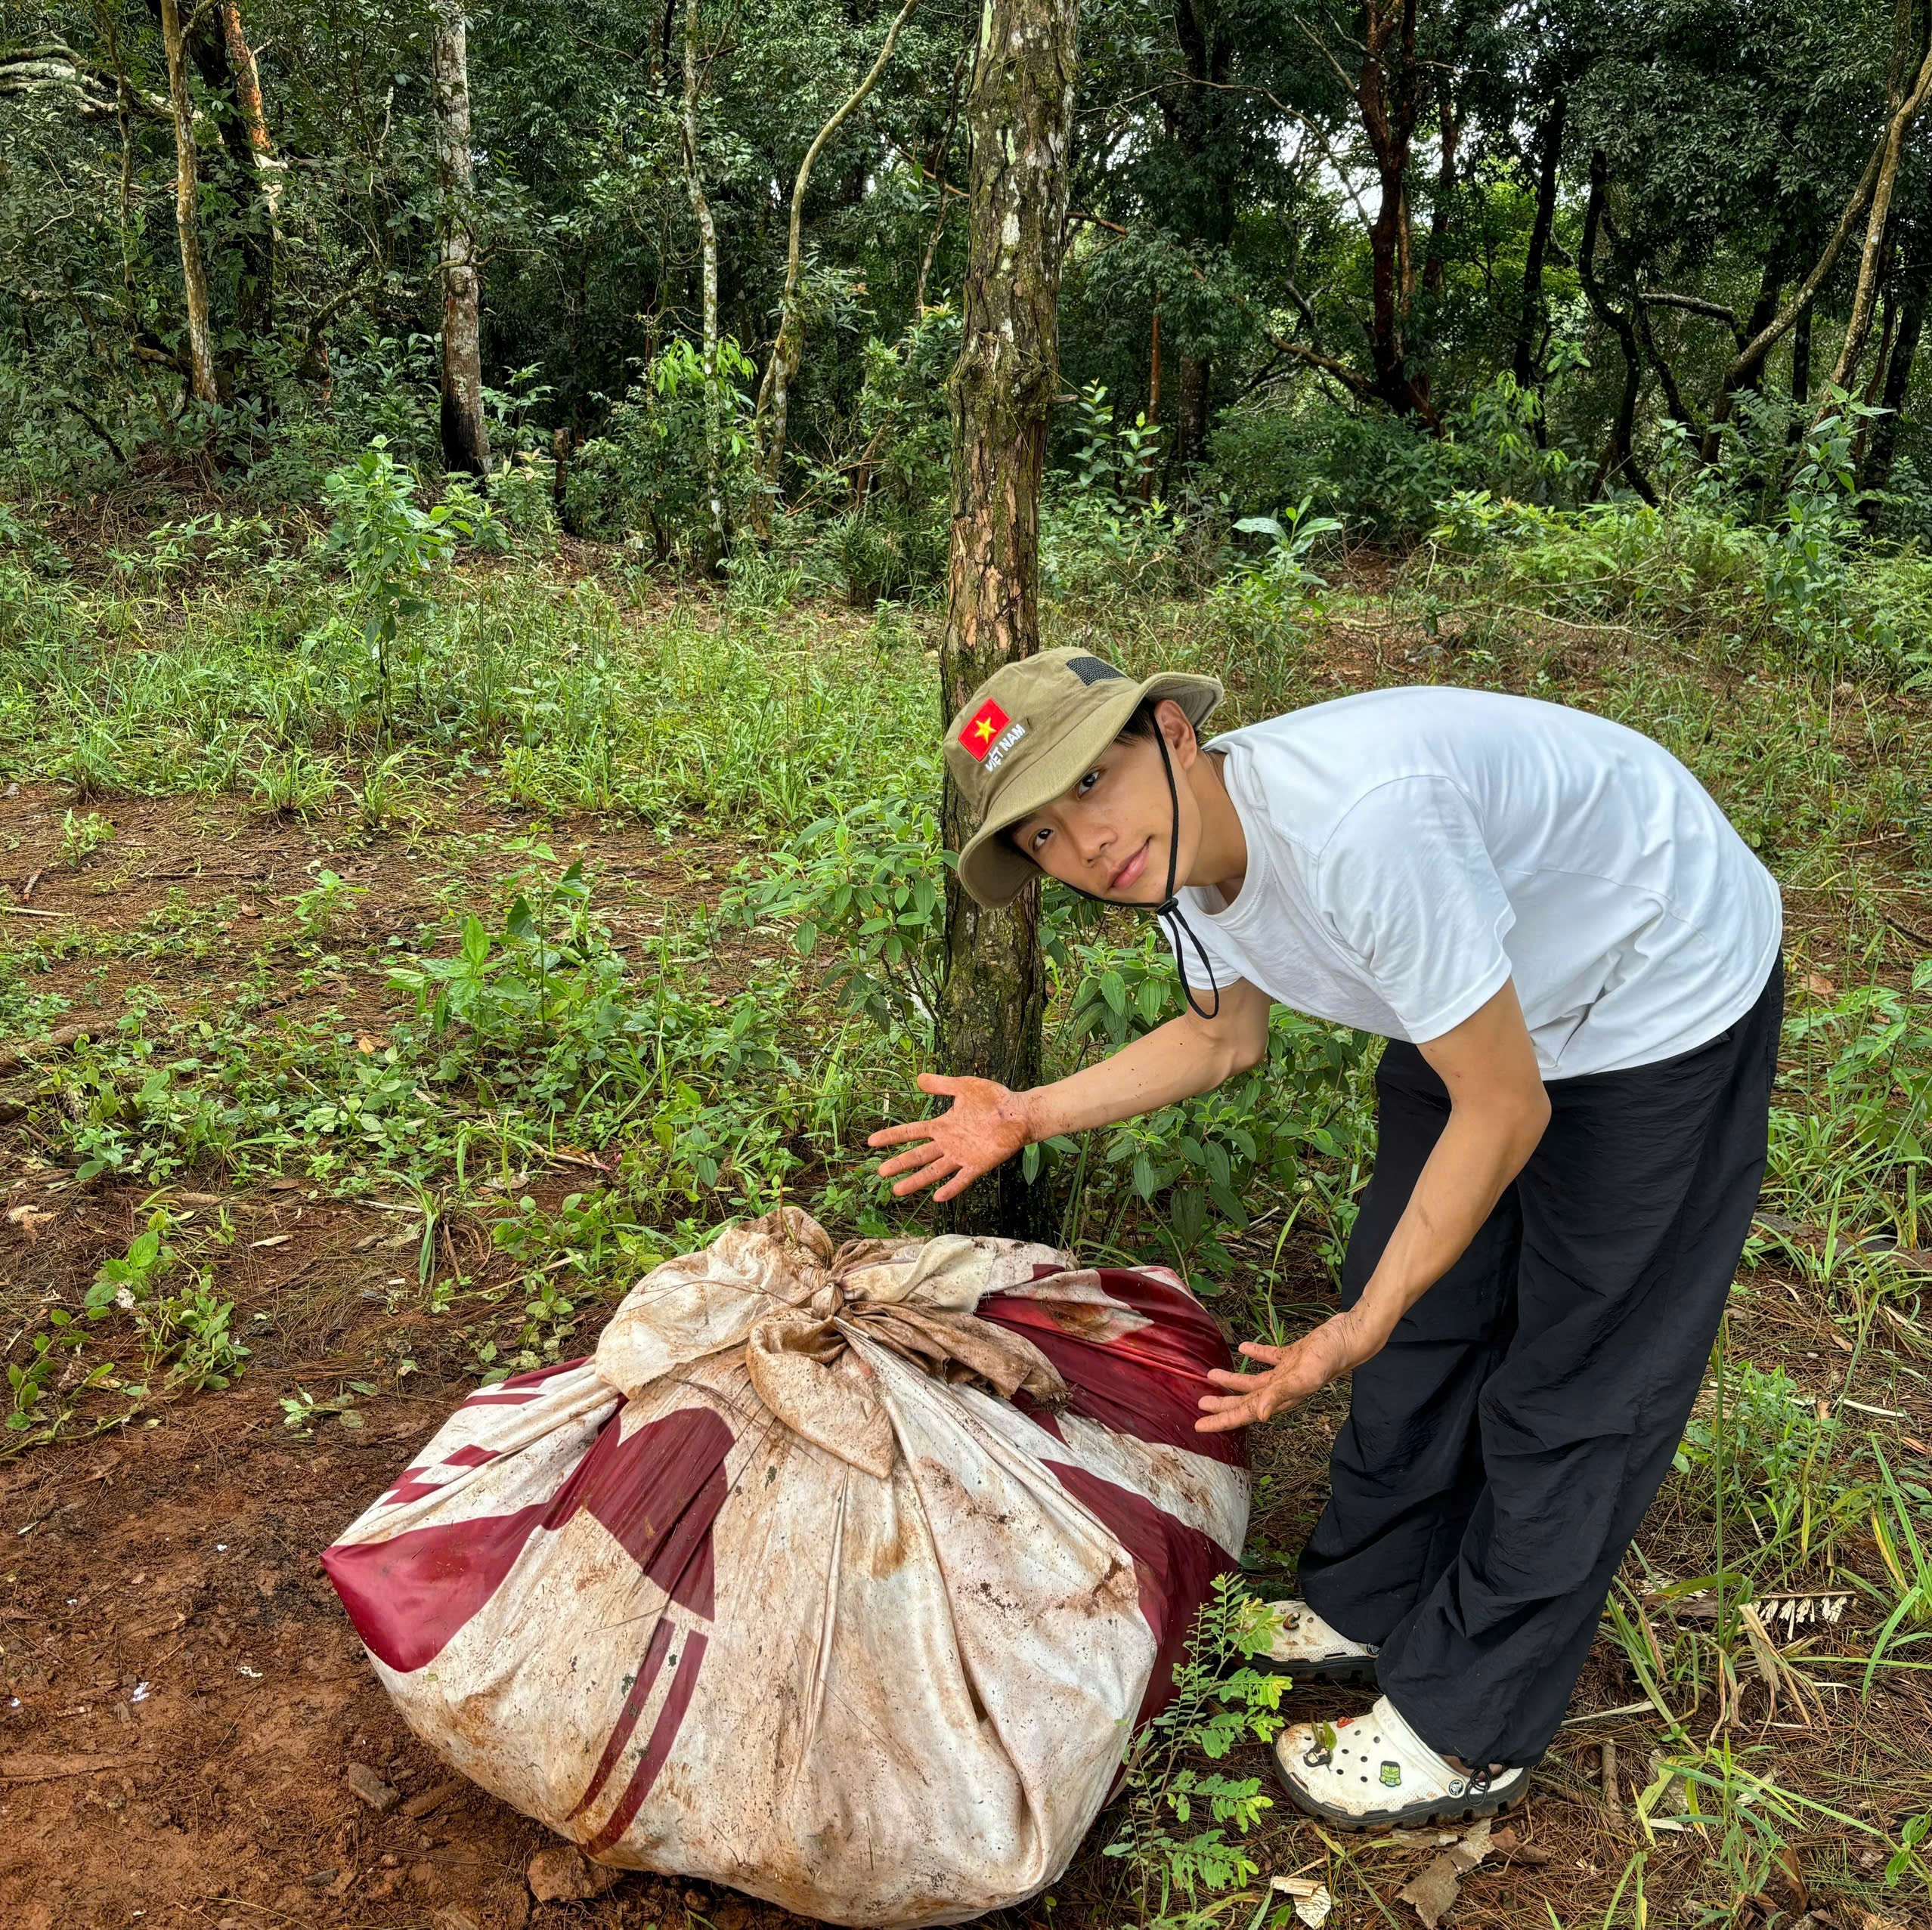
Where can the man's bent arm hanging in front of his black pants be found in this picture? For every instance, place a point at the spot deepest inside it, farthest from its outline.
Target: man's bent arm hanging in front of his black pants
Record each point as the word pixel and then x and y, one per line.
pixel 1498 1112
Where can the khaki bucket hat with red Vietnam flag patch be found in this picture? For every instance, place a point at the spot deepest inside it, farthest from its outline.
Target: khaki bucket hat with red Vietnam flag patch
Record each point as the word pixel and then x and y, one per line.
pixel 1031 733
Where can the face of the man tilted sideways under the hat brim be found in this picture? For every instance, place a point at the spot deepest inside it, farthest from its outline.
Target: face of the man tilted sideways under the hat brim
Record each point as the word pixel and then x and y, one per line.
pixel 1110 834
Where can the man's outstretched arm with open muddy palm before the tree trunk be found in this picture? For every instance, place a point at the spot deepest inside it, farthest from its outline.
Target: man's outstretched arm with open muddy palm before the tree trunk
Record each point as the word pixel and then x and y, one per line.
pixel 988 1123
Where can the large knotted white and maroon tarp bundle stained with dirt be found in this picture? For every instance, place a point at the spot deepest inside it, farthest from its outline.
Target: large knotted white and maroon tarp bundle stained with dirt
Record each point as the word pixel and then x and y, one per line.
pixel 836 1575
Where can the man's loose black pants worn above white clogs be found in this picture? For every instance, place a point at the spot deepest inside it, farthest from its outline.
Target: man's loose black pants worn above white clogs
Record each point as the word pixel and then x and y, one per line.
pixel 1502 1450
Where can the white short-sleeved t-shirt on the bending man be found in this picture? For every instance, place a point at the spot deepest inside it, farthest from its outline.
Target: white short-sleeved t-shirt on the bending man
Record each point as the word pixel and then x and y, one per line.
pixel 1409 851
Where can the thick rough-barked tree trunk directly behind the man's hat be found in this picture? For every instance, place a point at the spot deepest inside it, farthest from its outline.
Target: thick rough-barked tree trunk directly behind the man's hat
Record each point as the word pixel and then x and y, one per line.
pixel 1021 121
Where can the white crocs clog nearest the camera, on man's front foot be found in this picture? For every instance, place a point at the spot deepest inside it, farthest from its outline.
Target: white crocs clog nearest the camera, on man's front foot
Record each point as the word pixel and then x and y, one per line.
pixel 1375 1773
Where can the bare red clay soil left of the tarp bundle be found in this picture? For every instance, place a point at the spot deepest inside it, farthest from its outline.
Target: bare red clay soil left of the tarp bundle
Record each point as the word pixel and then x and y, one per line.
pixel 188 1711
